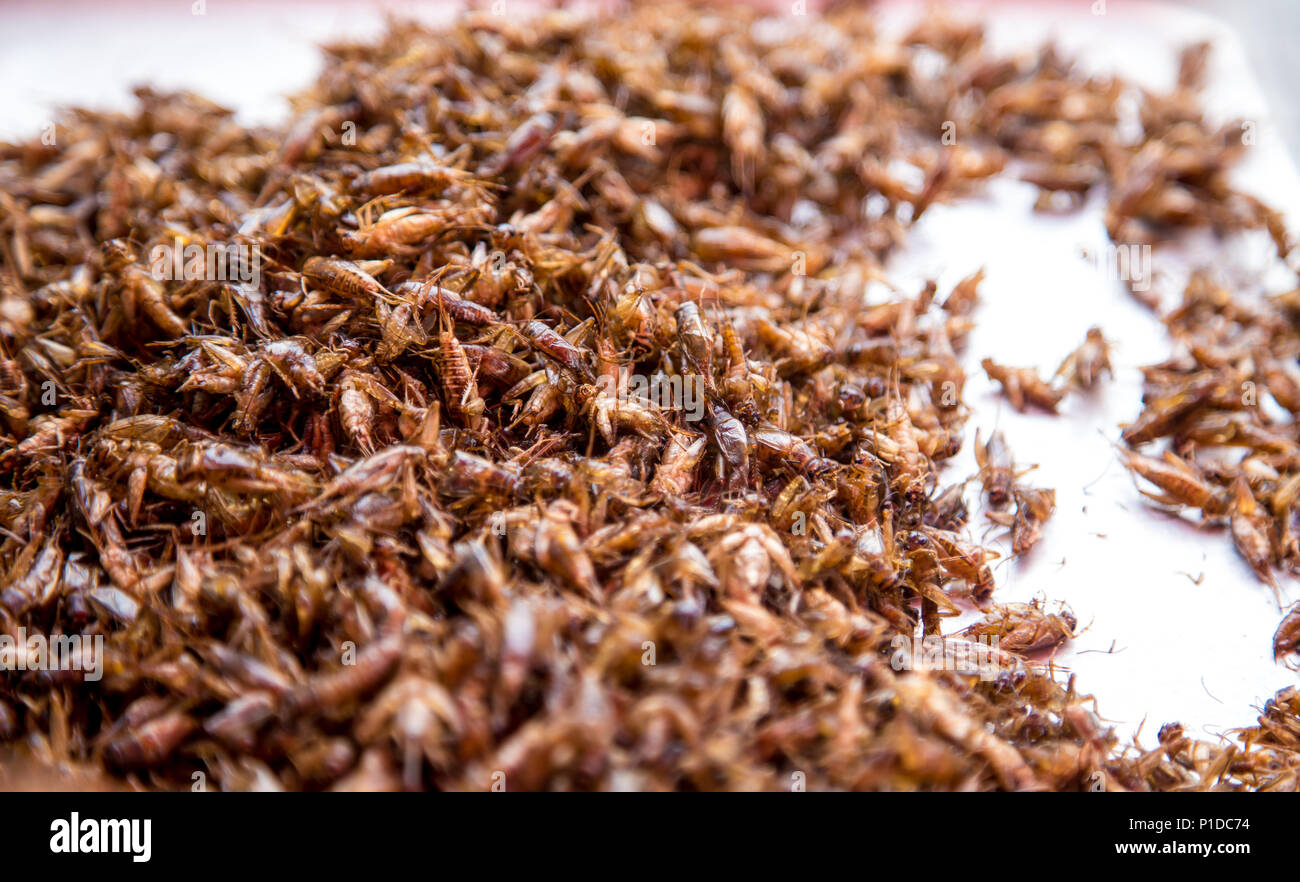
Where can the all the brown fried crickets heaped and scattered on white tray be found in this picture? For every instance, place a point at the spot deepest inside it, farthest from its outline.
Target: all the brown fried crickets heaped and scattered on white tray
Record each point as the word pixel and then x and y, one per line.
pixel 539 433
